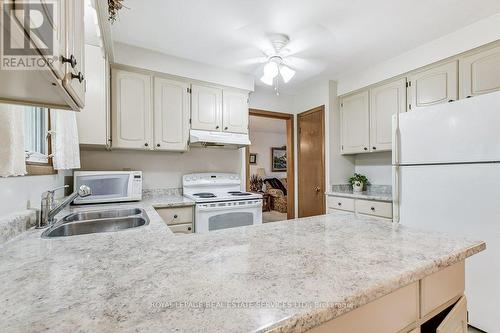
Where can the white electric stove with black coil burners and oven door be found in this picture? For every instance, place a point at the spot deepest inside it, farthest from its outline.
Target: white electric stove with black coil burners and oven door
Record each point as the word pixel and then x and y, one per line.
pixel 220 203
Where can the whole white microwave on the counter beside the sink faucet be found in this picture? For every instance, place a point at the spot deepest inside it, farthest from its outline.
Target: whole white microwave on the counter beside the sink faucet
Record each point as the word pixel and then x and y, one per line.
pixel 109 186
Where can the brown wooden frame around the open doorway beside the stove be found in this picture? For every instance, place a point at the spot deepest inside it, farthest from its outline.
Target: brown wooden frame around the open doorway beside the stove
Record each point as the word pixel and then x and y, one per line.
pixel 290 146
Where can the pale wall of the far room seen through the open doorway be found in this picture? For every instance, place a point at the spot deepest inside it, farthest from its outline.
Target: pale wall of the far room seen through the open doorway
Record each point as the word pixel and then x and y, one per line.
pixel 262 142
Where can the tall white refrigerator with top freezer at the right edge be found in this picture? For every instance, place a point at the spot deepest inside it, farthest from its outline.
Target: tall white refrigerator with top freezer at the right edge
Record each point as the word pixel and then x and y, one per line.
pixel 446 174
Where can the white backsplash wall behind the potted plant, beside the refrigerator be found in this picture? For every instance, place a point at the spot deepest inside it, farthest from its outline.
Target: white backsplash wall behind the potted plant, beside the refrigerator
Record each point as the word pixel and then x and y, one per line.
pixel 377 167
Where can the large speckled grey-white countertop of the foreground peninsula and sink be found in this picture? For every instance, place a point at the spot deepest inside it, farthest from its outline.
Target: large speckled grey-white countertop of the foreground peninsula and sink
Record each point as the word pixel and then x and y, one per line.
pixel 279 277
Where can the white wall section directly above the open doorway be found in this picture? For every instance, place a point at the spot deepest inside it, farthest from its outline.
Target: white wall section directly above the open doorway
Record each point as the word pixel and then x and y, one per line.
pixel 266 99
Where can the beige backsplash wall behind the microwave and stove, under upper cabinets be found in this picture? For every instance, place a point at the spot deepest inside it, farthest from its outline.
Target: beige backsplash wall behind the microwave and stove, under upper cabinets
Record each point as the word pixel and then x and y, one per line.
pixel 161 169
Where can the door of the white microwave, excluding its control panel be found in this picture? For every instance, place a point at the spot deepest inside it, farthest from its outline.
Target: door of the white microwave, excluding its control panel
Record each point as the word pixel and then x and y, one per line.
pixel 112 187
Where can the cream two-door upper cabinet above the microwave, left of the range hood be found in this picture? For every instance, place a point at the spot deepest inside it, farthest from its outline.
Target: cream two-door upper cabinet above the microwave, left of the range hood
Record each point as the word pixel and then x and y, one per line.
pixel 148 112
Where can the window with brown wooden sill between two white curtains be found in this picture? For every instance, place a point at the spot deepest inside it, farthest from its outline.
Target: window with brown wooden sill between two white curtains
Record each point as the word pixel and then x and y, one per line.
pixel 37 140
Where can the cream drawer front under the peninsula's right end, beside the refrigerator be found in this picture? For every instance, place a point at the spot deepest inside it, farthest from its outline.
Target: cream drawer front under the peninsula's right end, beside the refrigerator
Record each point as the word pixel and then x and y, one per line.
pixel 441 287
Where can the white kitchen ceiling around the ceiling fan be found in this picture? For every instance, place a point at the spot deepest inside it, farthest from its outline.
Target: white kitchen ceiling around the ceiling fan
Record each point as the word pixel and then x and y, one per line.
pixel 327 37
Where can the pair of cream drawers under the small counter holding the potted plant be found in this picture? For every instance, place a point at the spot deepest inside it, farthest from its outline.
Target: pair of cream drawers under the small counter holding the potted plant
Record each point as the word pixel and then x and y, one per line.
pixel 360 206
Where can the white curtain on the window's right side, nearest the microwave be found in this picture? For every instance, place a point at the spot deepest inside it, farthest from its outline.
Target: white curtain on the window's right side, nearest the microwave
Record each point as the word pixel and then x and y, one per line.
pixel 64 135
